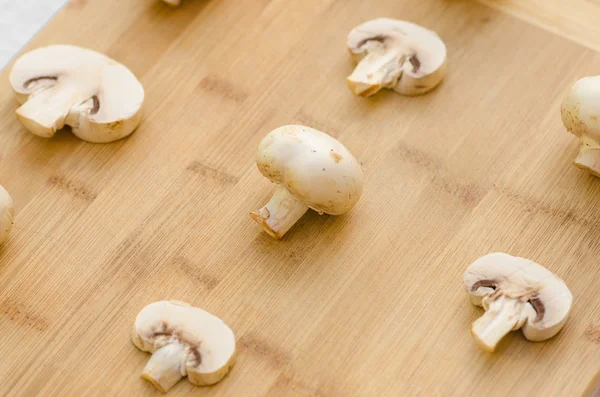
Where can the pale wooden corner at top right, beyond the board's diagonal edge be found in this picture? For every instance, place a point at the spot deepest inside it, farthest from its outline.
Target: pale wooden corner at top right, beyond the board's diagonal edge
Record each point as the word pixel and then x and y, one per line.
pixel 574 19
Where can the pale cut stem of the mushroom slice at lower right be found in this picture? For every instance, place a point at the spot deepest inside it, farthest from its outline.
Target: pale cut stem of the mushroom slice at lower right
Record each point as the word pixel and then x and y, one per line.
pixel 502 315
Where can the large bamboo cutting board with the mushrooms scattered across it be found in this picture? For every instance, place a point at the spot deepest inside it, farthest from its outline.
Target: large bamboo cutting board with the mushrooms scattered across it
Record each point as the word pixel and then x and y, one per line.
pixel 367 304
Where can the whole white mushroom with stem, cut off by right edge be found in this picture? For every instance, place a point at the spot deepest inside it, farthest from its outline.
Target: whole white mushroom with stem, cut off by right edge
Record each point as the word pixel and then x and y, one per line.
pixel 580 112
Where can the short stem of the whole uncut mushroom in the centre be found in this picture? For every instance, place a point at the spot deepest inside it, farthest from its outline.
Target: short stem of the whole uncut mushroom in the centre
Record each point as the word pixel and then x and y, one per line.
pixel 280 213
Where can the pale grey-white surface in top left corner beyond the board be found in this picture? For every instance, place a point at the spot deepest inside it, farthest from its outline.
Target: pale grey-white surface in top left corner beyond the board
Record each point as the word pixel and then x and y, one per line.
pixel 20 20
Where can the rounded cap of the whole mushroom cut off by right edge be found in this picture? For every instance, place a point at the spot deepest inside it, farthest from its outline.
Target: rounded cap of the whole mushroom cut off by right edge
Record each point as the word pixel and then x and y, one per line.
pixel 580 108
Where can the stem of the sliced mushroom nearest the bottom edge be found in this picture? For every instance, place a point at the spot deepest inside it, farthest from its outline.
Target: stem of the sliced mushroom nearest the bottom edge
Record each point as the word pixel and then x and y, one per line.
pixel 164 369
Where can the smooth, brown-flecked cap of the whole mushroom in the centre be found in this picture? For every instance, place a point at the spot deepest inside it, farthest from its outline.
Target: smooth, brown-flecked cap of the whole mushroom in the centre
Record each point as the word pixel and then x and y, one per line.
pixel 316 168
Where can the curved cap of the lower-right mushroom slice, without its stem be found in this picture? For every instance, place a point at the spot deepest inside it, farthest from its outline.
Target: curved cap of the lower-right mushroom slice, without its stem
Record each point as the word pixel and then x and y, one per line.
pixel 521 278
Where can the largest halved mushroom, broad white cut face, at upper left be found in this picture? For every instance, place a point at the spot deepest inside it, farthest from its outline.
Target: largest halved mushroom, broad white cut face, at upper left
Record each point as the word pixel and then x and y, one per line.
pixel 63 85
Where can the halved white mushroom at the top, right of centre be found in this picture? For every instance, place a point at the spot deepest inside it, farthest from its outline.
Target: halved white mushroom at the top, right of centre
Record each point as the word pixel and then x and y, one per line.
pixel 395 54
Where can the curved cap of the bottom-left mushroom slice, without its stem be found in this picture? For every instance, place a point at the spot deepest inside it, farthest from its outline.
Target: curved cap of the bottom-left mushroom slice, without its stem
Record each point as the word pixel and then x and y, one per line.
pixel 164 322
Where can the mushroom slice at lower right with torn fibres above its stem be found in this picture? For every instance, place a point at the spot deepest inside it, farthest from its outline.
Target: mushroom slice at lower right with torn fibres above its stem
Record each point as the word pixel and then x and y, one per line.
pixel 515 293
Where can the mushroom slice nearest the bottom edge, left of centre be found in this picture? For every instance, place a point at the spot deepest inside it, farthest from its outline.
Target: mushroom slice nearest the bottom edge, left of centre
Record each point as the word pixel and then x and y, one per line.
pixel 184 340
